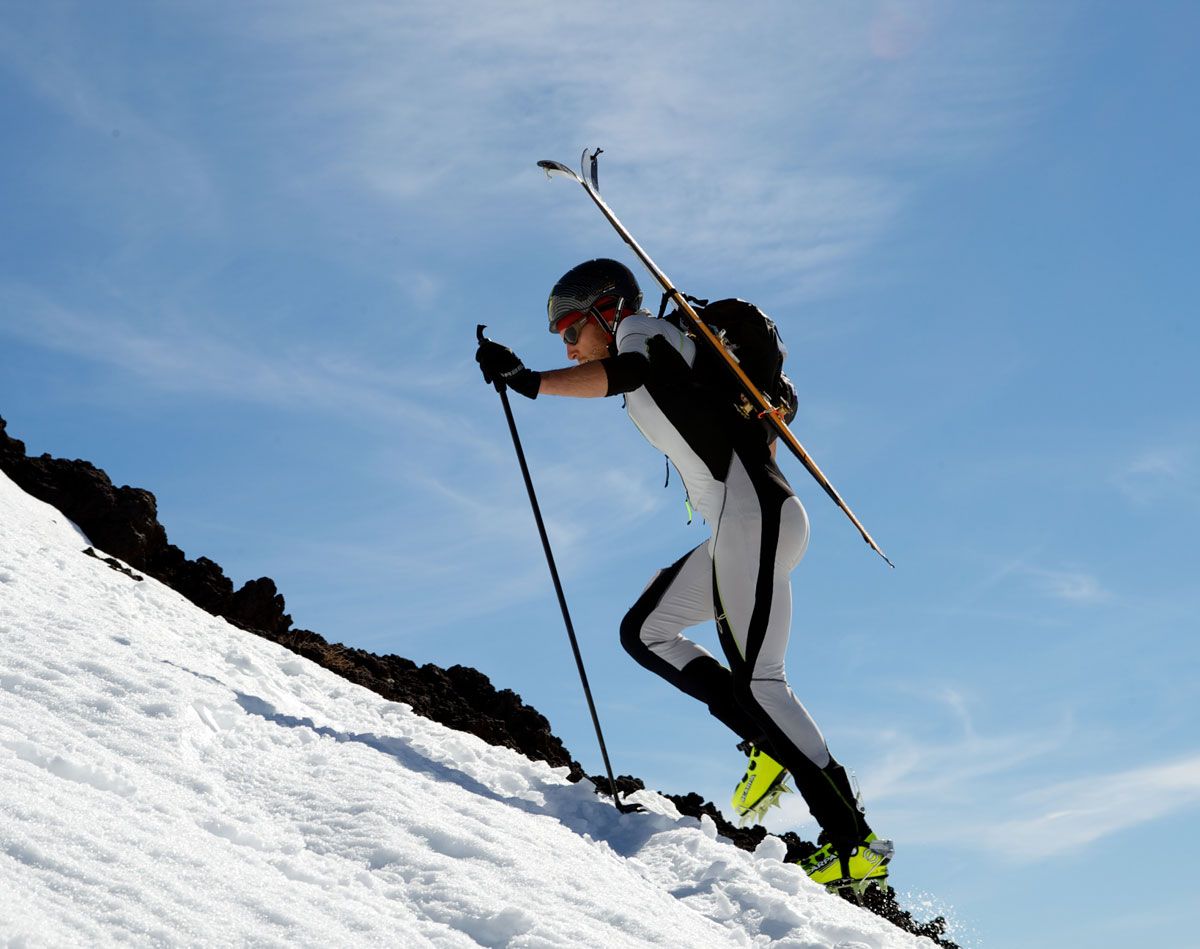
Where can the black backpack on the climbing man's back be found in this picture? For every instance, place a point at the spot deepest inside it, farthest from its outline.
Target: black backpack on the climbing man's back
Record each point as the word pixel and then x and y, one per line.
pixel 753 339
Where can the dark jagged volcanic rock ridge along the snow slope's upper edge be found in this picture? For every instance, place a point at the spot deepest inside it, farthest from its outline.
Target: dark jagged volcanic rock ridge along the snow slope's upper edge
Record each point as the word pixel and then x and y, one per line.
pixel 124 522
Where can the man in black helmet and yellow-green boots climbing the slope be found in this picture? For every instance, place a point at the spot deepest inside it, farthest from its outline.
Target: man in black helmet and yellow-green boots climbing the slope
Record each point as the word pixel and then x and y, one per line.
pixel 739 578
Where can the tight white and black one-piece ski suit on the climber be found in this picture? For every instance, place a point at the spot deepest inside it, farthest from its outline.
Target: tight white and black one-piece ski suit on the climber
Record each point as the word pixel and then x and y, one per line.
pixel 739 578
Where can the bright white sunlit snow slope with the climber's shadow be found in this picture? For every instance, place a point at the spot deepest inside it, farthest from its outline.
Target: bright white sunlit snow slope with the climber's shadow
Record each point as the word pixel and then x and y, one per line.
pixel 166 778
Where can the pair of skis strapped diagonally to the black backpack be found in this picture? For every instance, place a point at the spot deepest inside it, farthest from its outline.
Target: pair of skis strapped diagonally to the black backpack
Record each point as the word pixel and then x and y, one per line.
pixel 754 394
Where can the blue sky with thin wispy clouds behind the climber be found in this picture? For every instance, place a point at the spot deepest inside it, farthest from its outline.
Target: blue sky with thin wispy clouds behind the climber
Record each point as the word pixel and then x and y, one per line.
pixel 247 247
